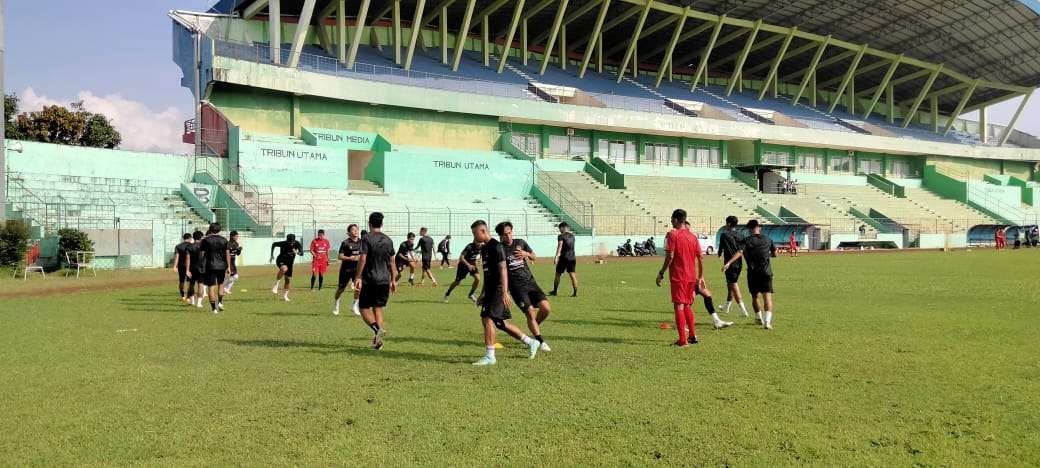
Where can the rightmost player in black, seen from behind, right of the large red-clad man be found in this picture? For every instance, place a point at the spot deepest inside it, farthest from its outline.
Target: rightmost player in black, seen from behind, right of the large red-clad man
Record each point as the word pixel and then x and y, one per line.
pixel 758 251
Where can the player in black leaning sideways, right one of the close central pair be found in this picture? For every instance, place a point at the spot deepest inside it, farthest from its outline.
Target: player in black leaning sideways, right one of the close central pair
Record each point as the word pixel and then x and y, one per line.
pixel 525 291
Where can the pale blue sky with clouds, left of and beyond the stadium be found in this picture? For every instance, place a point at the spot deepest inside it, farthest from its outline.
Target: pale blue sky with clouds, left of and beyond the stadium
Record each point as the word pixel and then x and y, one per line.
pixel 116 57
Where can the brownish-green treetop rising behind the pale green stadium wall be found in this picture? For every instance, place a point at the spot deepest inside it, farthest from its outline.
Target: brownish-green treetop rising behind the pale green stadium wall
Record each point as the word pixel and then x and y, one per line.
pixel 73 126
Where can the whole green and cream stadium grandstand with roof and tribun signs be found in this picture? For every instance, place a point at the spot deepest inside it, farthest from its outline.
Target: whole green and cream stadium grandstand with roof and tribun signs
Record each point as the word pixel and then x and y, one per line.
pixel 840 120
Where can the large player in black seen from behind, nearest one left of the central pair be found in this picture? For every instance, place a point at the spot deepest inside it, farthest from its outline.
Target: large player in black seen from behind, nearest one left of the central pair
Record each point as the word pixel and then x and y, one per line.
pixel 376 277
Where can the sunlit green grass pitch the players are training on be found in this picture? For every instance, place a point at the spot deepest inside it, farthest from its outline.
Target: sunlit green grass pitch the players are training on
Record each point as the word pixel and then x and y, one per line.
pixel 888 359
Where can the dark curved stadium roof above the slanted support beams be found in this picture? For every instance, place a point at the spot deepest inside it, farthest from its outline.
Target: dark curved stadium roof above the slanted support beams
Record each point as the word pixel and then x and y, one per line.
pixel 948 44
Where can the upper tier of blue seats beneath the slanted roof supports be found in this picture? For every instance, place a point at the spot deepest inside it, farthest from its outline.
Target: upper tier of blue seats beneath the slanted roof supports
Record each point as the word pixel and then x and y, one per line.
pixel 595 90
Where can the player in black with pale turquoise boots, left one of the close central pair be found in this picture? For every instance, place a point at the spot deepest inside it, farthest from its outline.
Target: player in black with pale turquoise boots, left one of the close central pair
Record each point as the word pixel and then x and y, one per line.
pixel 496 300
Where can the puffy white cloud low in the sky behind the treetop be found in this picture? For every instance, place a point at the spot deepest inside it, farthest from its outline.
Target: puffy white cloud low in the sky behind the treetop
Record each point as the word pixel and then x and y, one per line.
pixel 142 128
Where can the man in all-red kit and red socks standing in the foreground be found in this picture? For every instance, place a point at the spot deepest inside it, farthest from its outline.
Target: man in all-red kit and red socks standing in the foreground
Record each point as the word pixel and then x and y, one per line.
pixel 683 262
